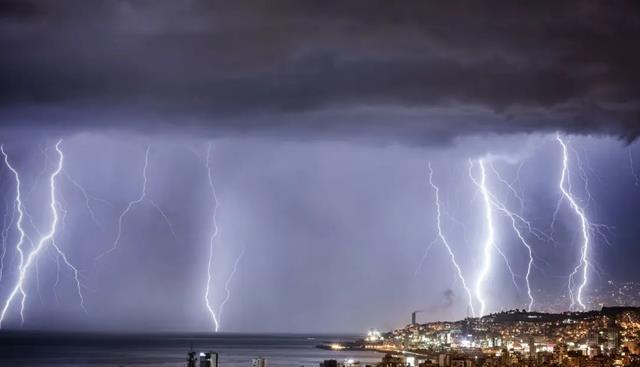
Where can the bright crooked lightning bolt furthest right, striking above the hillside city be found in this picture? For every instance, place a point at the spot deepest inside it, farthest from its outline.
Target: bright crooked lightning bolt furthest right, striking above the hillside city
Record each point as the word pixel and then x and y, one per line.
pixel 565 188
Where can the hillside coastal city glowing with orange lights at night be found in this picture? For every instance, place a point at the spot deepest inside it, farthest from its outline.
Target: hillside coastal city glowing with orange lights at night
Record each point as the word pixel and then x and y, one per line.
pixel 609 337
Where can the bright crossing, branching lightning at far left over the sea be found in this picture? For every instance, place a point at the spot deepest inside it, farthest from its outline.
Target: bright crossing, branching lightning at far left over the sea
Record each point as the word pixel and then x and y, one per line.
pixel 47 238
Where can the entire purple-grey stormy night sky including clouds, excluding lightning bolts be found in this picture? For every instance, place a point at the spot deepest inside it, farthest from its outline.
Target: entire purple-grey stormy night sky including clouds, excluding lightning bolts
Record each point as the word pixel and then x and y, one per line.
pixel 320 118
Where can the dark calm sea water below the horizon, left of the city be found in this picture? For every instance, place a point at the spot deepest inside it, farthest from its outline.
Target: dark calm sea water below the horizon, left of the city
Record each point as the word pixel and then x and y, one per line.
pixel 235 350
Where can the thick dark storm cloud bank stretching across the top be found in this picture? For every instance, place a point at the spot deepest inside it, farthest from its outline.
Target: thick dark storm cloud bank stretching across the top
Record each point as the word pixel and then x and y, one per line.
pixel 417 71
